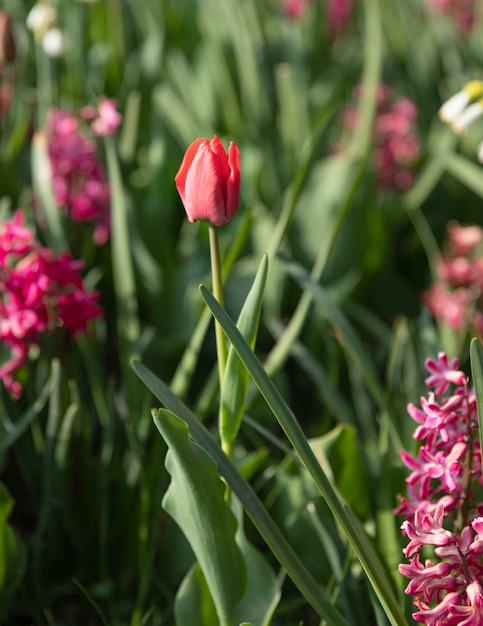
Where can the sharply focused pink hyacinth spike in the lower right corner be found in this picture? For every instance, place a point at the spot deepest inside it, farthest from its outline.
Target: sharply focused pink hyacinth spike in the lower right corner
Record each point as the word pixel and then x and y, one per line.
pixel 444 522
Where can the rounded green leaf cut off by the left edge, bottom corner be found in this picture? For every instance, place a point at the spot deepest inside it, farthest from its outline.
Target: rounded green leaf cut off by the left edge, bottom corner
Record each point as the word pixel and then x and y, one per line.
pixel 12 552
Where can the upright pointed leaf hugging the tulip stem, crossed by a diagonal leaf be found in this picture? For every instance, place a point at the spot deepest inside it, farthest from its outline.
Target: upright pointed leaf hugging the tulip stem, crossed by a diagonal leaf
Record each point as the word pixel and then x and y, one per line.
pixel 236 378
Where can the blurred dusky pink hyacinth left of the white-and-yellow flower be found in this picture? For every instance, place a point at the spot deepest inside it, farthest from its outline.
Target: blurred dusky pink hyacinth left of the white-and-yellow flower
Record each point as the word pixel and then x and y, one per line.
pixel 396 144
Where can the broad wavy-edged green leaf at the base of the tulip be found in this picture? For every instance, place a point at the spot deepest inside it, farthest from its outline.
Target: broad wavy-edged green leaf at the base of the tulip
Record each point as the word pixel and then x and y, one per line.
pixel 195 500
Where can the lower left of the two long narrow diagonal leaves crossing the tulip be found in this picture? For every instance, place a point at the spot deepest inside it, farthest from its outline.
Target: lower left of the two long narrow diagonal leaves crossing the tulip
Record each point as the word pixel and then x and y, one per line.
pixel 260 517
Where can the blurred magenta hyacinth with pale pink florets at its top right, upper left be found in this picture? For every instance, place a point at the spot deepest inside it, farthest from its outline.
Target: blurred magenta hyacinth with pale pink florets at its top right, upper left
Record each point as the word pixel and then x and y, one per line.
pixel 79 180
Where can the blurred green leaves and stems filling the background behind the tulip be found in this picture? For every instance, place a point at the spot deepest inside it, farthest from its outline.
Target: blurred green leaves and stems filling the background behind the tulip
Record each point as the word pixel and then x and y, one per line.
pixel 342 330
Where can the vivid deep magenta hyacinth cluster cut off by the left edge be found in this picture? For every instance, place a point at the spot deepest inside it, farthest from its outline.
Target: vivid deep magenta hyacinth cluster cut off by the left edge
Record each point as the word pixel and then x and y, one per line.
pixel 39 292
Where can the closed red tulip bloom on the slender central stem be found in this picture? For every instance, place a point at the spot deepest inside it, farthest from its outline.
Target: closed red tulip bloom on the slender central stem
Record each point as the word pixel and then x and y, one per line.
pixel 208 181
